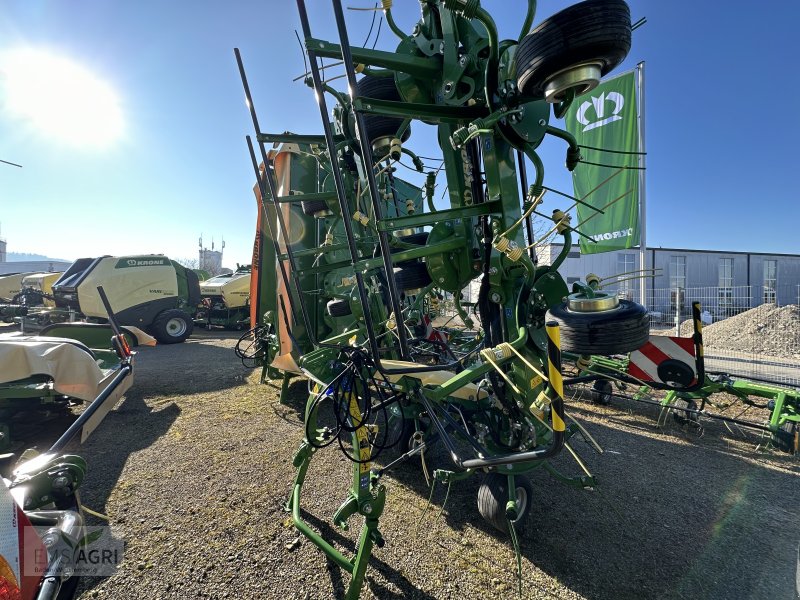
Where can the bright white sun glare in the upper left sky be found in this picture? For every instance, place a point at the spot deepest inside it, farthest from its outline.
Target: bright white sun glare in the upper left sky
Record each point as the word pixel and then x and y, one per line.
pixel 59 97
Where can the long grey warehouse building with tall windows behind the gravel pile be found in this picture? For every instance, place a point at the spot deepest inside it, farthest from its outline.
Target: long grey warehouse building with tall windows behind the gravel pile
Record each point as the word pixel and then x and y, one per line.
pixel 725 282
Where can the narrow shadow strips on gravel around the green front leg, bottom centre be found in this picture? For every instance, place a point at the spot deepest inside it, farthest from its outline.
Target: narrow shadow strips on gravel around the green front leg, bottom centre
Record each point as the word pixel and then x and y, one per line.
pixel 339 583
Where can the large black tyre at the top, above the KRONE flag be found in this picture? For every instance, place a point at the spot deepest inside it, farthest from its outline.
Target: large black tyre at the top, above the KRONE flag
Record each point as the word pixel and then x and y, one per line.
pixel 595 30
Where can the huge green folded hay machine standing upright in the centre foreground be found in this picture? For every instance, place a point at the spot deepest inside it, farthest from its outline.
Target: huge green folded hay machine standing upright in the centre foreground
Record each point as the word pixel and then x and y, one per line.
pixel 350 260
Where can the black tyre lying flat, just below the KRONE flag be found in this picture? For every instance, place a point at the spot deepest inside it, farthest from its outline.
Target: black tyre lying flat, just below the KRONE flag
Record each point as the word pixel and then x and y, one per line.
pixel 618 331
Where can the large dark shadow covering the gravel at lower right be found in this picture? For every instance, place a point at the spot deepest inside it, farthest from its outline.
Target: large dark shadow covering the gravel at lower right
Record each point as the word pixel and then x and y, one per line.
pixel 667 521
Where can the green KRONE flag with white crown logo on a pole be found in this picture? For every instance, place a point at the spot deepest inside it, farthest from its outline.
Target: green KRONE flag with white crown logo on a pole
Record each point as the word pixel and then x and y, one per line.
pixel 606 118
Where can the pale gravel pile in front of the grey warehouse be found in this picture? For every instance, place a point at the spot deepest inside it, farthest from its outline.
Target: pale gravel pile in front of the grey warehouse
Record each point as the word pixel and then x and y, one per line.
pixel 767 330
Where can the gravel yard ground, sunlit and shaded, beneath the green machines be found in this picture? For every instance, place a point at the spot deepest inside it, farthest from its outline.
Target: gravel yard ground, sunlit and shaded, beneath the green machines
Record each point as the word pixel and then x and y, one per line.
pixel 194 465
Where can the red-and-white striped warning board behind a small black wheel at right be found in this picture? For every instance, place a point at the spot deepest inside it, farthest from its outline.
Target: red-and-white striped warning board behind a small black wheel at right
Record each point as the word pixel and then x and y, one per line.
pixel 664 359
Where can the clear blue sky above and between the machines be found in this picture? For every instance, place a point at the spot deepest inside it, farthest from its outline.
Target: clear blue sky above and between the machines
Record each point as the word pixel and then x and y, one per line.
pixel 721 128
